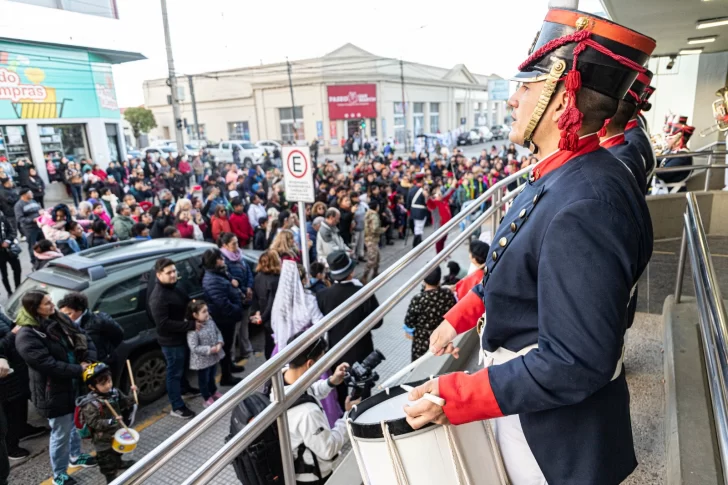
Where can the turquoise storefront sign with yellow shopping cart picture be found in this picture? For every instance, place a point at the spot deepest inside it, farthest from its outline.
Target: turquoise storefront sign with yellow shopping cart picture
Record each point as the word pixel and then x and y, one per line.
pixel 39 82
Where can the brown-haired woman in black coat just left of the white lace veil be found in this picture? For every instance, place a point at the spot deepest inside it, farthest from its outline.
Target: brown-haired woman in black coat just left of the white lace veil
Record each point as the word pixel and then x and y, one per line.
pixel 265 286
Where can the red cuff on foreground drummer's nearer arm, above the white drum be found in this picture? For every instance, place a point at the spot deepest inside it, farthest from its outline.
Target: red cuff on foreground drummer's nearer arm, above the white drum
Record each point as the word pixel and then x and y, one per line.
pixel 468 397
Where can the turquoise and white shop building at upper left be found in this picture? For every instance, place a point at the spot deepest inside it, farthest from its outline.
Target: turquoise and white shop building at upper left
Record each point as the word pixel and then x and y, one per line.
pixel 57 95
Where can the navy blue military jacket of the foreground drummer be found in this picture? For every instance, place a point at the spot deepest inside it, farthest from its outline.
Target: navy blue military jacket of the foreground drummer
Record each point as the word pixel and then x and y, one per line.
pixel 563 263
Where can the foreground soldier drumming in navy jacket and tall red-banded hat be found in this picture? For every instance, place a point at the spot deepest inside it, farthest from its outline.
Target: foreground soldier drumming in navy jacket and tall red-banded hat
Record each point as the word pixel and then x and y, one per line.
pixel 557 283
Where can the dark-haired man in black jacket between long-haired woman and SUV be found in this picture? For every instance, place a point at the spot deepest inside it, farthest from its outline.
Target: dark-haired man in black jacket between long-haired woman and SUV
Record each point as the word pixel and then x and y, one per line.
pixel 106 334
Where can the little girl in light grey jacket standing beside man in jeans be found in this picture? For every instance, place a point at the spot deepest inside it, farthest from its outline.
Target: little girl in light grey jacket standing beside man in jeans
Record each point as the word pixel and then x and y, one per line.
pixel 205 350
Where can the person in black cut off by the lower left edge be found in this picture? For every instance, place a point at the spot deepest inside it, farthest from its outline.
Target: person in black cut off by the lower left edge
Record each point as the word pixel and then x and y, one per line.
pixel 14 393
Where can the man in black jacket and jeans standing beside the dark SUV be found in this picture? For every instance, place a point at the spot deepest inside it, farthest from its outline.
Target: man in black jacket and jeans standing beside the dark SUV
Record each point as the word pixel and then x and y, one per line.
pixel 168 305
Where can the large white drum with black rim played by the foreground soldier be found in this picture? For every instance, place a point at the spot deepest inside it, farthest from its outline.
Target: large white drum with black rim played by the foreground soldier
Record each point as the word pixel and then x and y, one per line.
pixel 388 451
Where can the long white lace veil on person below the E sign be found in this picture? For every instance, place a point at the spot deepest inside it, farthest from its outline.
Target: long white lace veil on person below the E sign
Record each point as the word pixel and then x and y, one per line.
pixel 289 314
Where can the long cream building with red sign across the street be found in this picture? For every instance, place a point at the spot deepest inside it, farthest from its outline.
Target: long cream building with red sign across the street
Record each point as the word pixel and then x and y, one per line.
pixel 334 96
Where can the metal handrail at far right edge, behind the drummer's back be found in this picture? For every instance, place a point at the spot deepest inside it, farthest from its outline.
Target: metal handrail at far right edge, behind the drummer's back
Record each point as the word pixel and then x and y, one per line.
pixel 713 323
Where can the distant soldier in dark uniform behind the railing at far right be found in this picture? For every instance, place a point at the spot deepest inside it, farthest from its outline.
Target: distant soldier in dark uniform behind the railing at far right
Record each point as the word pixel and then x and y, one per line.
pixel 678 135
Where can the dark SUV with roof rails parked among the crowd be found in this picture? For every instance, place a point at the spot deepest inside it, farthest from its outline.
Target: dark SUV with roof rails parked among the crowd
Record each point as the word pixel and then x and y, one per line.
pixel 114 277
